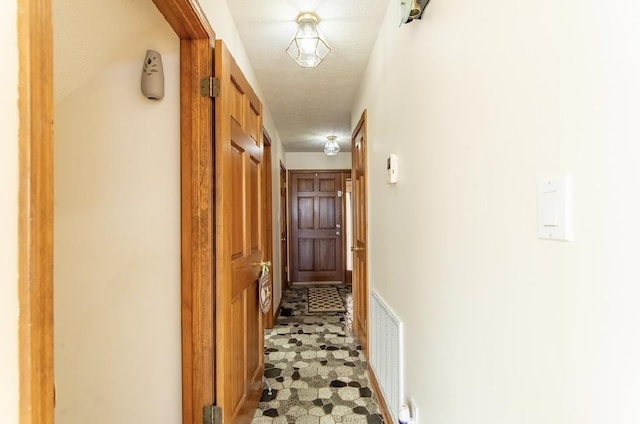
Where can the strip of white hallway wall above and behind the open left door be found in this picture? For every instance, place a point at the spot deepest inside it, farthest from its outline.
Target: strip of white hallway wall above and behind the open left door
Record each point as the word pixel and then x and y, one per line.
pixel 219 16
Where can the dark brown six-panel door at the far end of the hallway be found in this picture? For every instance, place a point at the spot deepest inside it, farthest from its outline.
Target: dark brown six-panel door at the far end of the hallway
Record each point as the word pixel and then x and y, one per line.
pixel 316 226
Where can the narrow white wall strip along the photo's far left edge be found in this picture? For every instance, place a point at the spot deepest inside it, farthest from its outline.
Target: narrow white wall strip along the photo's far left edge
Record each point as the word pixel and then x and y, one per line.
pixel 8 214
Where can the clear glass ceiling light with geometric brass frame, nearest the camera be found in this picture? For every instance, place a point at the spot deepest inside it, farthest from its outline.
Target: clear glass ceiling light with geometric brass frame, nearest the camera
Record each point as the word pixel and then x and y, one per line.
pixel 308 48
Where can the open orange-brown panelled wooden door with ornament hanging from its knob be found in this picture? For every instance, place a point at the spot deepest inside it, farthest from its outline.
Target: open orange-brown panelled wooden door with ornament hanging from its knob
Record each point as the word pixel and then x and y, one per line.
pixel 240 241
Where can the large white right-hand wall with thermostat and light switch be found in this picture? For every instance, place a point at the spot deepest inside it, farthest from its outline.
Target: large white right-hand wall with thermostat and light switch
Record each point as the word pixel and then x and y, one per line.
pixel 479 100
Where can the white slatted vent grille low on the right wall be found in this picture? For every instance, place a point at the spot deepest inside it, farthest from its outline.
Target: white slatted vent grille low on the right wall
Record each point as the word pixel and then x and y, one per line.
pixel 386 352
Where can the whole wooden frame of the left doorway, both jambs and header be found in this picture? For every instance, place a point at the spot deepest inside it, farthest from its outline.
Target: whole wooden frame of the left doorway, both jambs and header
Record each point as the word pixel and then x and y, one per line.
pixel 35 208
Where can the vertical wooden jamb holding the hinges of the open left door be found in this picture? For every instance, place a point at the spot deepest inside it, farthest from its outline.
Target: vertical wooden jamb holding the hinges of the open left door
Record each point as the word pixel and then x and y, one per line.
pixel 197 232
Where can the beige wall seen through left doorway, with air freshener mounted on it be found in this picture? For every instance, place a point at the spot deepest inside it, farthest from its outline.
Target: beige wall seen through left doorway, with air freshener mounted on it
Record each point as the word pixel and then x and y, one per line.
pixel 117 238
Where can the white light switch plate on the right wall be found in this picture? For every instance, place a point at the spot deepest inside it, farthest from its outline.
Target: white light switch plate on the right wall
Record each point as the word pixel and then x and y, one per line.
pixel 555 208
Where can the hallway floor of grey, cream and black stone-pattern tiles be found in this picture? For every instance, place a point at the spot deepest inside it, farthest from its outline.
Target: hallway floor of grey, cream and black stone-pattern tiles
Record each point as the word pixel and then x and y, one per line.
pixel 316 367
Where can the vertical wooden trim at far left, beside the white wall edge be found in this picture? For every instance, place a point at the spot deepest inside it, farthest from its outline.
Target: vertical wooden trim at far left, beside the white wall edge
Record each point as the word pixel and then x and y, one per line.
pixel 35 225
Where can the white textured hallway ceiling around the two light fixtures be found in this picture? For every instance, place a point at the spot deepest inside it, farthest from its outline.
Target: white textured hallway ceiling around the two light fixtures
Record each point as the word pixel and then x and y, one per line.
pixel 308 104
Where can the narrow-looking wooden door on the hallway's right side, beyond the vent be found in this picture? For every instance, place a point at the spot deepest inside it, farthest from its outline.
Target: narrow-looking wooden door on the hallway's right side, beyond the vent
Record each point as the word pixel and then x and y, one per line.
pixel 360 284
